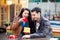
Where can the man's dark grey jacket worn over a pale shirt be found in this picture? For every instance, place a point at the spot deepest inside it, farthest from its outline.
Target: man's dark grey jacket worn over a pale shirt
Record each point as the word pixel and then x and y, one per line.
pixel 44 30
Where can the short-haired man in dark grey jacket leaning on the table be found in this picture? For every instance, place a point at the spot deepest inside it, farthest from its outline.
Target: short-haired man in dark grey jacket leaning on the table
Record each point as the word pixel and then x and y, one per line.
pixel 41 28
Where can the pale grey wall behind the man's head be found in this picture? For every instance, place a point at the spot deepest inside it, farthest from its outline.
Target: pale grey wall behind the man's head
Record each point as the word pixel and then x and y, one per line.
pixel 45 6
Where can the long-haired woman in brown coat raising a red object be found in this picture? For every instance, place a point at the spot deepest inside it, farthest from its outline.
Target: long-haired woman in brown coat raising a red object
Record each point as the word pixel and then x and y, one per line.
pixel 21 21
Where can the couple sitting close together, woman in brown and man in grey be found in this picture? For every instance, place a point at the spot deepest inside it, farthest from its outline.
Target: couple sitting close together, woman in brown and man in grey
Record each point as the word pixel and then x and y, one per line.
pixel 39 26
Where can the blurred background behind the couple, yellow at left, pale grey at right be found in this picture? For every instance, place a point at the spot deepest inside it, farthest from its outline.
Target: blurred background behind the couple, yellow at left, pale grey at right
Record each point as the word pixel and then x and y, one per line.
pixel 50 9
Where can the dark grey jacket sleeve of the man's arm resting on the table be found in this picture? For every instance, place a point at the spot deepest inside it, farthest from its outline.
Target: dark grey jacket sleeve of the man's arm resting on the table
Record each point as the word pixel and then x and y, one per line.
pixel 45 31
